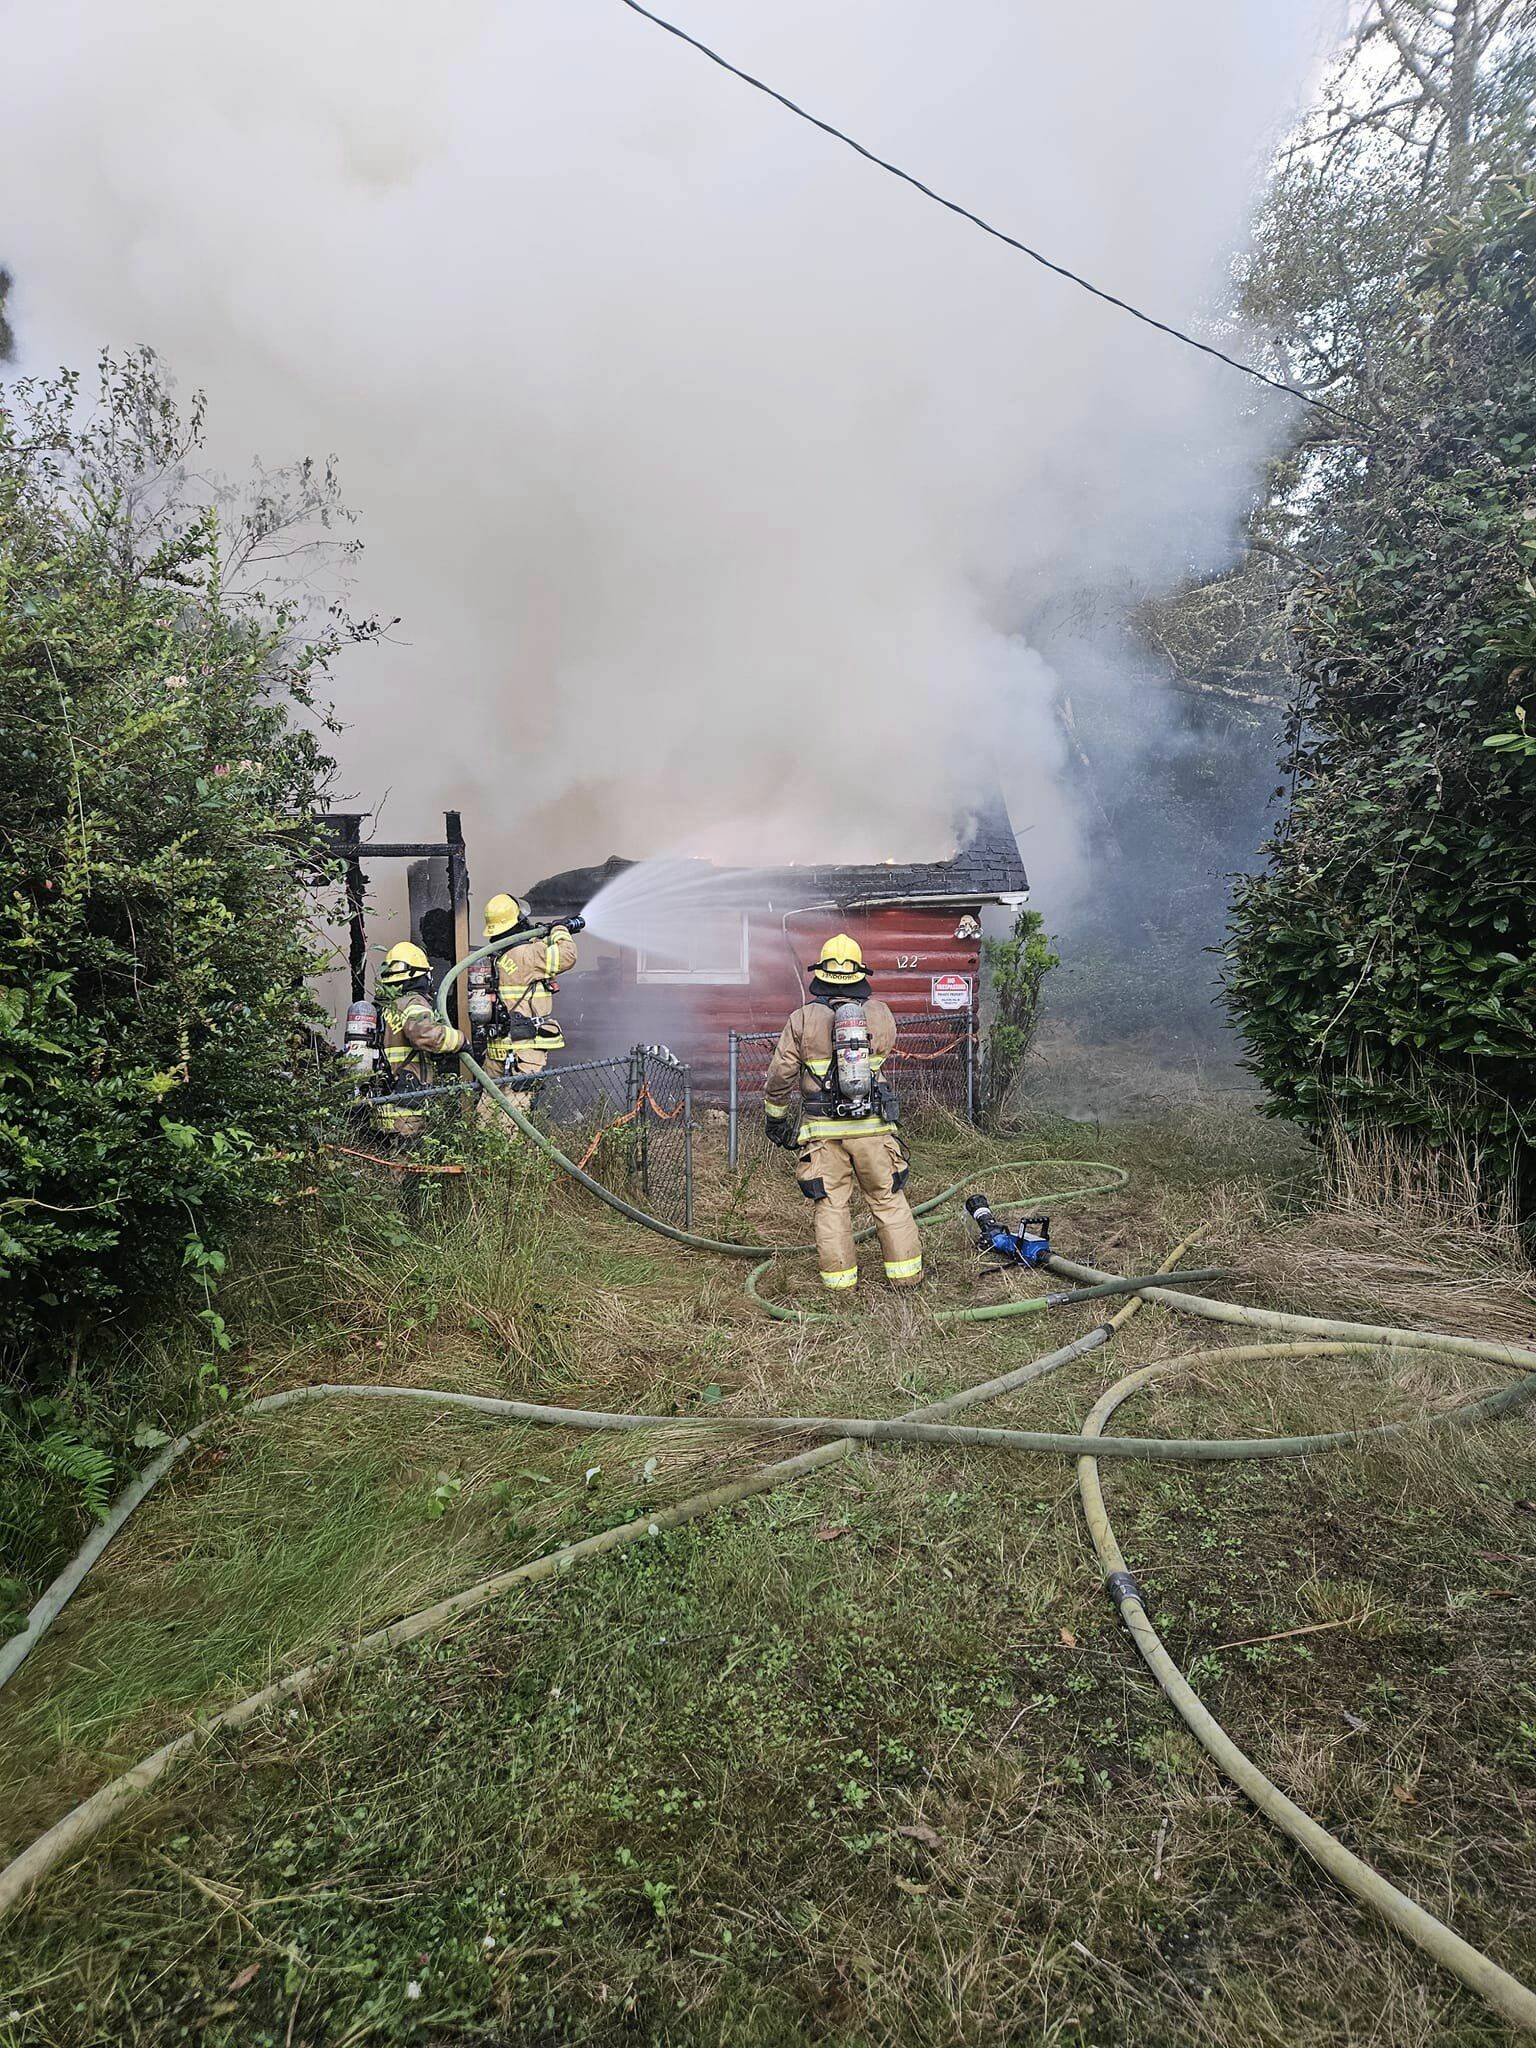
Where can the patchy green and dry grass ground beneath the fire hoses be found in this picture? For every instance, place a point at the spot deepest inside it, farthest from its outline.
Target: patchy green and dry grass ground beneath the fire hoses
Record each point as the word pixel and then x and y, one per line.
pixel 861 1762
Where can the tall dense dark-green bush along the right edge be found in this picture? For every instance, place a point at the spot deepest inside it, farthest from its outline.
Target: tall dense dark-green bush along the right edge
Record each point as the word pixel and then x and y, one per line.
pixel 1383 968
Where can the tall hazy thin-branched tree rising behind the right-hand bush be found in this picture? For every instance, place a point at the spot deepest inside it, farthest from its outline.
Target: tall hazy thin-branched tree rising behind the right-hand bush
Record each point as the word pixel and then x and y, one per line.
pixel 1426 108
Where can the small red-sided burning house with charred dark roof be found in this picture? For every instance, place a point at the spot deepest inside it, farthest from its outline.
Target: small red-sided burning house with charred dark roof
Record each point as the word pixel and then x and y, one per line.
pixel 732 955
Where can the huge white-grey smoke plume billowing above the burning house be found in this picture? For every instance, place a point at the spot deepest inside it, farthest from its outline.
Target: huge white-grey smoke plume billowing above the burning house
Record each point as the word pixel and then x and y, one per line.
pixel 712 472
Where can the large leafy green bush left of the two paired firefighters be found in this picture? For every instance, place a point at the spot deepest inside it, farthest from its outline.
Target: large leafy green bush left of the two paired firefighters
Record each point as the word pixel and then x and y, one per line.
pixel 157 814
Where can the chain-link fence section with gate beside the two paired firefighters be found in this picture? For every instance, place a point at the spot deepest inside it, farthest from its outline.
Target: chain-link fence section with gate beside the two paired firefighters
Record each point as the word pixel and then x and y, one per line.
pixel 626 1121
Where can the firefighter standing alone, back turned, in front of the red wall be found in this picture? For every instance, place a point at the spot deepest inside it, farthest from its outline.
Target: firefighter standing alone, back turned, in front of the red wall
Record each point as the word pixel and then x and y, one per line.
pixel 849 1132
